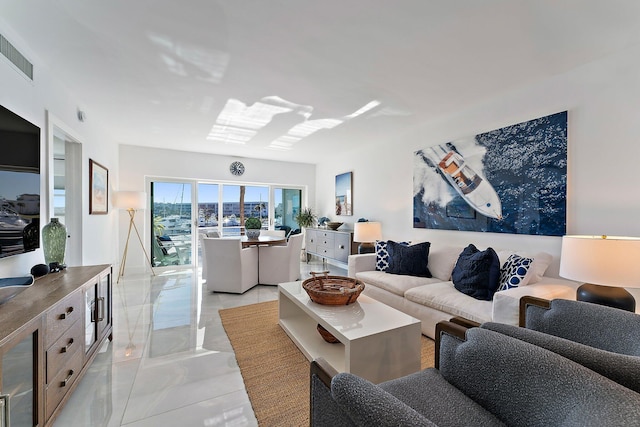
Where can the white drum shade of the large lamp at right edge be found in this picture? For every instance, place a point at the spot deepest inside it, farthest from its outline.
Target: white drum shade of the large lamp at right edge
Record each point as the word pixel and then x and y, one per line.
pixel 601 260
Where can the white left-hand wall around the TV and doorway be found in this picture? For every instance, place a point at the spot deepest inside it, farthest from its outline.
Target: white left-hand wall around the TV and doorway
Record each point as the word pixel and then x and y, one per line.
pixel 31 100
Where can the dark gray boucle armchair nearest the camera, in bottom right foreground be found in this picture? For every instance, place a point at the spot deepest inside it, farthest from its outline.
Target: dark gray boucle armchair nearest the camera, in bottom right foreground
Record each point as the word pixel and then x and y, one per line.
pixel 486 379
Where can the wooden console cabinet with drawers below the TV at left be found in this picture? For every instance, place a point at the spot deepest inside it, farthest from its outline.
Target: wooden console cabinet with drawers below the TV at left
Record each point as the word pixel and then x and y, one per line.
pixel 49 335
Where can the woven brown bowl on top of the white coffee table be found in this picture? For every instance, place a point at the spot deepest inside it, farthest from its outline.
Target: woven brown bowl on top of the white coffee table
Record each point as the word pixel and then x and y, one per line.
pixel 332 290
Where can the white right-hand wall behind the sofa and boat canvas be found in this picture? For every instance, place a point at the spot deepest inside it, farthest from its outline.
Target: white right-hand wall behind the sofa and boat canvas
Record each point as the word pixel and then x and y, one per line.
pixel 603 101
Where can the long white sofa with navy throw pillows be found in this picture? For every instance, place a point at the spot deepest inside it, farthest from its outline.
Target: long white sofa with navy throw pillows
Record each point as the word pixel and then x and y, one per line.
pixel 435 299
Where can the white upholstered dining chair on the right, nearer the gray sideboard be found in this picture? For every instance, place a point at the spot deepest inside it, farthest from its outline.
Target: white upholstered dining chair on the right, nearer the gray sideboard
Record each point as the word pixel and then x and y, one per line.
pixel 280 264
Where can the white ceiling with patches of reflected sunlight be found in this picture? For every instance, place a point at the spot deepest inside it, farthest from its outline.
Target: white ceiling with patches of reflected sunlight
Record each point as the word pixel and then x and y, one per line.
pixel 310 76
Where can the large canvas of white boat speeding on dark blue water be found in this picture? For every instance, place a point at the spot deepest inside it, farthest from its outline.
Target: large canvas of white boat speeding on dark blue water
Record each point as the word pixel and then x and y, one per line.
pixel 510 180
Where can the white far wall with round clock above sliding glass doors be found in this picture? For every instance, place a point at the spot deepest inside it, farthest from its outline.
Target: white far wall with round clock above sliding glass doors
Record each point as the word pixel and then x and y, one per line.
pixel 138 163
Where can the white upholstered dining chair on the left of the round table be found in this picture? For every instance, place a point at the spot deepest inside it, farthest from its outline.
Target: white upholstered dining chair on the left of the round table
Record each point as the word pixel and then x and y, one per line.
pixel 229 267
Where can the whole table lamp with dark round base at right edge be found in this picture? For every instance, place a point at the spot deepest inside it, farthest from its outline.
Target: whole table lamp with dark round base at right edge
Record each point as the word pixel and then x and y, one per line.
pixel 606 265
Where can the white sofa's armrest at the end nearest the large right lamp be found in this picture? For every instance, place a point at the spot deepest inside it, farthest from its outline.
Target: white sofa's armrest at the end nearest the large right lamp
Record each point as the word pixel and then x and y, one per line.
pixel 506 304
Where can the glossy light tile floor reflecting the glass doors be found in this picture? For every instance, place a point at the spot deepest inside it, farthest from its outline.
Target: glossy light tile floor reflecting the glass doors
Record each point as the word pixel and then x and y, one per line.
pixel 170 362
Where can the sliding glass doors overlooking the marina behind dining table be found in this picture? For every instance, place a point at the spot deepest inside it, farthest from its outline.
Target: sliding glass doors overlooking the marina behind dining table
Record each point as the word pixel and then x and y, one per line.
pixel 181 211
